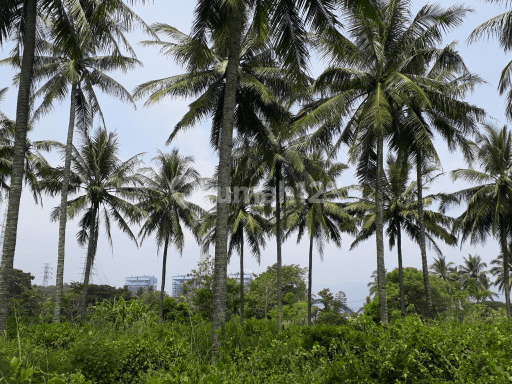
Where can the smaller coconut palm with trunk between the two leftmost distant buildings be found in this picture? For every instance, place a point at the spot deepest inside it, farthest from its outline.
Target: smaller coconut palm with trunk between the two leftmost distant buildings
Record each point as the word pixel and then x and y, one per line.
pixel 164 199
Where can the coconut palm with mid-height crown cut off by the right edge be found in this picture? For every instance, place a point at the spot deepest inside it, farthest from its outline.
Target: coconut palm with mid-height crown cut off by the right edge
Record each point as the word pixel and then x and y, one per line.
pixel 489 202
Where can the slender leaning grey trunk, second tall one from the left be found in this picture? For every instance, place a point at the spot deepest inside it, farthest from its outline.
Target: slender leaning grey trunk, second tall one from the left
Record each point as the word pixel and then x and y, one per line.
pixel 63 211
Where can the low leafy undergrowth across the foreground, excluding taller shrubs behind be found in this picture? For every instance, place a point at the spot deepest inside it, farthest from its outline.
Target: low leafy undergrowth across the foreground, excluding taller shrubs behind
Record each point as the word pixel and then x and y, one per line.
pixel 473 351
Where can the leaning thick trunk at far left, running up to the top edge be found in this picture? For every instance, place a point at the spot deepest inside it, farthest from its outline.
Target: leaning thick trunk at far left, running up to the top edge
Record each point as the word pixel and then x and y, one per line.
pixel 20 141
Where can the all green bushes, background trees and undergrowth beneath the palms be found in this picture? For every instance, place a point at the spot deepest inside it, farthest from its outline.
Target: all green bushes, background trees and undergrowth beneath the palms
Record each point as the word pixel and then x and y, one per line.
pixel 125 341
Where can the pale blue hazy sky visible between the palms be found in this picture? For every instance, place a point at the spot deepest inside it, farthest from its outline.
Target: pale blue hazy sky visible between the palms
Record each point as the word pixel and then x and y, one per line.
pixel 145 130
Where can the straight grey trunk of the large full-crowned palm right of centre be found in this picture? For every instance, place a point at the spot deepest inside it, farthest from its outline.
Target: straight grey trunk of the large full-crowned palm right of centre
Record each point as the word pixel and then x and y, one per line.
pixel 379 230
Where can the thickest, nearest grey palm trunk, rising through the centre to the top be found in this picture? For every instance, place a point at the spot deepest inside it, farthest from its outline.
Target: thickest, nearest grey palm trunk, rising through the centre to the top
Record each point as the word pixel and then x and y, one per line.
pixel 224 180
